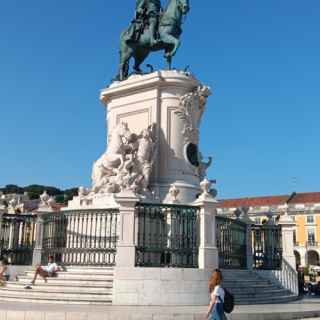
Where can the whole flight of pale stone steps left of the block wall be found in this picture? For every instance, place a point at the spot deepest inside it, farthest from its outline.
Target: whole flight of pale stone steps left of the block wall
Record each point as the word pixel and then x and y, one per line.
pixel 74 285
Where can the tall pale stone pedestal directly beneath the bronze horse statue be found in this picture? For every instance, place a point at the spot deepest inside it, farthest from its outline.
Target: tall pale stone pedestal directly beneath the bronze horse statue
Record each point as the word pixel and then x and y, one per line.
pixel 174 102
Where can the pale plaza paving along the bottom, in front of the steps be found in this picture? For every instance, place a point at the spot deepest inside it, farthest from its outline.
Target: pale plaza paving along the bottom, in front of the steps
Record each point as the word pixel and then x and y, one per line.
pixel 304 309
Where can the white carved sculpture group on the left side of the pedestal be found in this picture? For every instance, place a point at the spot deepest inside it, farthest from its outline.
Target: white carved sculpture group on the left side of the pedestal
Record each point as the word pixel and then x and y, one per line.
pixel 132 165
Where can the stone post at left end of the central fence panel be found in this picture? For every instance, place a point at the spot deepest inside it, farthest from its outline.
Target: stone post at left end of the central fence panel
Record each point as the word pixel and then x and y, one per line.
pixel 125 256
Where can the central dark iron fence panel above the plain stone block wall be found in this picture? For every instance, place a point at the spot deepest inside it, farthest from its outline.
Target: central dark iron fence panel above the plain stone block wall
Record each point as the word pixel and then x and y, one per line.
pixel 167 236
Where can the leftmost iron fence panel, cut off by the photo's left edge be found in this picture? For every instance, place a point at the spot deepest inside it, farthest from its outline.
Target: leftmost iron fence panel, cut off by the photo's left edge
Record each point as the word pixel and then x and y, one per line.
pixel 17 238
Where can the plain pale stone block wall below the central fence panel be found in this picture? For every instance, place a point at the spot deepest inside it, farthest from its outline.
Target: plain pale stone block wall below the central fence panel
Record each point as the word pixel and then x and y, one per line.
pixel 160 286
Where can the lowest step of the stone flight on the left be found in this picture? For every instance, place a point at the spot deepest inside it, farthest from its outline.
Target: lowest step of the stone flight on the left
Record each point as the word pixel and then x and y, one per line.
pixel 45 294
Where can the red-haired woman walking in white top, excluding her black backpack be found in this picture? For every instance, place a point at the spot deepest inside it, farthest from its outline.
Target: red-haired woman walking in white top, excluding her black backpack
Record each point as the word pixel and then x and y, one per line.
pixel 217 294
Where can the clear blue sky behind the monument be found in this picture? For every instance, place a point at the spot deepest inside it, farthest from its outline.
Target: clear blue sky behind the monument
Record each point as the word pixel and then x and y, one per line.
pixel 261 58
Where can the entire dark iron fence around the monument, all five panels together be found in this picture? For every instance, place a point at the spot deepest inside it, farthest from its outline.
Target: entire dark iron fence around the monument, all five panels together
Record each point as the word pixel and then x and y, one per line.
pixel 166 236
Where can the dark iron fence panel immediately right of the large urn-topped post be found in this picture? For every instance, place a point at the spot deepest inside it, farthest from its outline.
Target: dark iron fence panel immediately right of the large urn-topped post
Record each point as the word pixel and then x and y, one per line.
pixel 231 243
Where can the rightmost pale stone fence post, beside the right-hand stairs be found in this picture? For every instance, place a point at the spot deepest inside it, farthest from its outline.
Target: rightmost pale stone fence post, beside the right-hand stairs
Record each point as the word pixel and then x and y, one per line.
pixel 287 230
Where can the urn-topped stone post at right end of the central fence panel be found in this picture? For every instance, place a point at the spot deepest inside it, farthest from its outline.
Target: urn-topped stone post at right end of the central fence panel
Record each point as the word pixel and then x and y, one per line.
pixel 208 251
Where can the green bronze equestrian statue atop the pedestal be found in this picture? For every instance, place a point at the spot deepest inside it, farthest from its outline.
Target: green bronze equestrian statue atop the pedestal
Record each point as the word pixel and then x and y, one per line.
pixel 152 29
